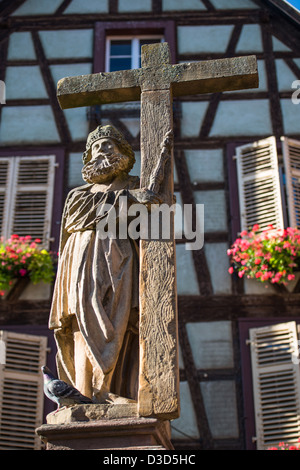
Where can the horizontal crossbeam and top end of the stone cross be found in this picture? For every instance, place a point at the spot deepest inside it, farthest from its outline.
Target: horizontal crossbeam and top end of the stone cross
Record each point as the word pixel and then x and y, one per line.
pixel 208 76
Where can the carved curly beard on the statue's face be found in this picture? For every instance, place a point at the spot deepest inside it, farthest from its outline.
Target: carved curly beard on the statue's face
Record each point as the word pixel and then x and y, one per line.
pixel 105 168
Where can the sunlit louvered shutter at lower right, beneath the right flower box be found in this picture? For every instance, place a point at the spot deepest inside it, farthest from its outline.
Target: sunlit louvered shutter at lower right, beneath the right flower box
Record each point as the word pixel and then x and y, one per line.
pixel 276 384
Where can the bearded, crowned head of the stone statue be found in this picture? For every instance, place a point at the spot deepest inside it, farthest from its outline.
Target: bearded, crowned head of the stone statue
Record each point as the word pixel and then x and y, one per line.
pixel 107 155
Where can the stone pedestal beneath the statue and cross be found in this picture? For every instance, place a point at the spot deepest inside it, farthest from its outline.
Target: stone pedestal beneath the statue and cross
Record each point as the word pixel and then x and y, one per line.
pixel 104 427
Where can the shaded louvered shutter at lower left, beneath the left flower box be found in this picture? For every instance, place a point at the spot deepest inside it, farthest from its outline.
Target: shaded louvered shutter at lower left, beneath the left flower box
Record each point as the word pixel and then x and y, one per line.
pixel 21 390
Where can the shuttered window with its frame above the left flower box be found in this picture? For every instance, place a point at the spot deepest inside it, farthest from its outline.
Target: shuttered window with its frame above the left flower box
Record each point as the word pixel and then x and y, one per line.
pixel 28 184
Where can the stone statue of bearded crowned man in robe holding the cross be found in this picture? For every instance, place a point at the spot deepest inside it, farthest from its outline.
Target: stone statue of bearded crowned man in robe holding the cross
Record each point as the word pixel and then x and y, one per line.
pixel 95 303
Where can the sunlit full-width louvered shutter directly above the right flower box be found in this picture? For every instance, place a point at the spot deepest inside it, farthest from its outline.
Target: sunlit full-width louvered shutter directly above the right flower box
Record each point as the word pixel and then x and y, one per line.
pixel 259 186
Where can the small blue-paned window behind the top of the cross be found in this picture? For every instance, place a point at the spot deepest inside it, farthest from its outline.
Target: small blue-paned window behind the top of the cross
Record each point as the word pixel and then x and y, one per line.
pixel 123 53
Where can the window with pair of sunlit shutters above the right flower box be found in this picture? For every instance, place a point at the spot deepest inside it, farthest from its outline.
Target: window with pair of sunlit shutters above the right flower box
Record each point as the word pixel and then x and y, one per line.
pixel 268 184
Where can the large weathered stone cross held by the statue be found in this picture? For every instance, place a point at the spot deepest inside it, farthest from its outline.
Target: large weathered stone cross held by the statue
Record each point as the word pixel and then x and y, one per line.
pixel 155 84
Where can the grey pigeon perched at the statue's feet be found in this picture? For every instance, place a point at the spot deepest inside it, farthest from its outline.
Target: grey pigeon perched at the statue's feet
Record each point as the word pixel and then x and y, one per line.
pixel 60 392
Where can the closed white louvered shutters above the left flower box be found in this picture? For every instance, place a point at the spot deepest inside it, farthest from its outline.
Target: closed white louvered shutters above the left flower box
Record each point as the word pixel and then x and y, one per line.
pixel 29 197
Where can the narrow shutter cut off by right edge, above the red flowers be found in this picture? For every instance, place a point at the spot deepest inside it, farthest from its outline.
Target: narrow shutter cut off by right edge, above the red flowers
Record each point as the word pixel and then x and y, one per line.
pixel 291 159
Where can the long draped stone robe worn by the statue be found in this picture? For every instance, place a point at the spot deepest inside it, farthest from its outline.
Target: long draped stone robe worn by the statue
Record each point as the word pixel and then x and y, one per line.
pixel 97 283
